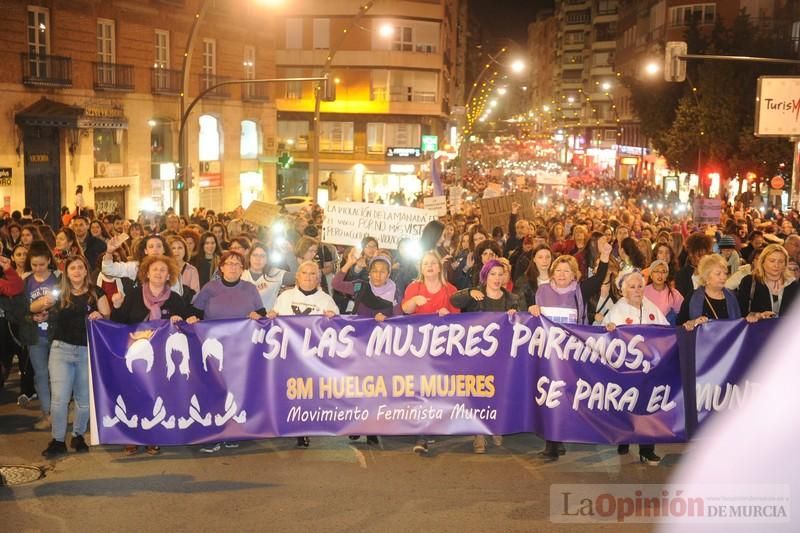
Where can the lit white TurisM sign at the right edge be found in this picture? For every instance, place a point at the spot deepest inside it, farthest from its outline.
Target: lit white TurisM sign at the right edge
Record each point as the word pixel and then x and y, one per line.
pixel 778 106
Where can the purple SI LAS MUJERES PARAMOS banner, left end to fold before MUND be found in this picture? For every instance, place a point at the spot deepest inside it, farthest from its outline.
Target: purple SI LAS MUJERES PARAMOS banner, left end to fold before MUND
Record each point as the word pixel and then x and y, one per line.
pixel 158 383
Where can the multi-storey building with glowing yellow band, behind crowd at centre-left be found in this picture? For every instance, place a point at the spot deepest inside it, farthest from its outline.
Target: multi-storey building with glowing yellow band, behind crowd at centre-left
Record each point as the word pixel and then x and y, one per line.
pixel 399 73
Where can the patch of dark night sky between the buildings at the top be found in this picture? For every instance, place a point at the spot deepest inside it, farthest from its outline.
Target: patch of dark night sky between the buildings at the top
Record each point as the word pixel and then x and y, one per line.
pixel 508 18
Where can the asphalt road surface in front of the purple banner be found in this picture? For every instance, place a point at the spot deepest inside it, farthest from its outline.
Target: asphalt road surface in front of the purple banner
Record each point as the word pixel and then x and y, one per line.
pixel 334 485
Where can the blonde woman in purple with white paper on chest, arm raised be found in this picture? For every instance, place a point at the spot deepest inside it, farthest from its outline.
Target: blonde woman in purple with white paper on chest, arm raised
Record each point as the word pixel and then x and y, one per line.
pixel 563 300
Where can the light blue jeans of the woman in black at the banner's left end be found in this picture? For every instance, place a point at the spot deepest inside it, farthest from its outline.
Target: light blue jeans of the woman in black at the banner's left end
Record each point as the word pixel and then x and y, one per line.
pixel 69 375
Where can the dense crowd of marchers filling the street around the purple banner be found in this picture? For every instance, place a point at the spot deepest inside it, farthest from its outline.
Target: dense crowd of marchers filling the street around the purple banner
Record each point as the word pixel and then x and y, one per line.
pixel 608 265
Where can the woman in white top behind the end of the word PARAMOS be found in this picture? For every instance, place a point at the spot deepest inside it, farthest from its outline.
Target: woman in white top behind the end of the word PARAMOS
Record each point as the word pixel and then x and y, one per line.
pixel 634 308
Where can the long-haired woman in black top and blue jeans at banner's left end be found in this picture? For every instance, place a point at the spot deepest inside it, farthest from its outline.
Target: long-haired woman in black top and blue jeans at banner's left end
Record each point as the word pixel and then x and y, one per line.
pixel 79 299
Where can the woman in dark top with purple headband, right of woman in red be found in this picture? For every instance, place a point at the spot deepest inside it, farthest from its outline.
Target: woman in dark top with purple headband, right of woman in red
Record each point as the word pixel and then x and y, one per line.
pixel 490 295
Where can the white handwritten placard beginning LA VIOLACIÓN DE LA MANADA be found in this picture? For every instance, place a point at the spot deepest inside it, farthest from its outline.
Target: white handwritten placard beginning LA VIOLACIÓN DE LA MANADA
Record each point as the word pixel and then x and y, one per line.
pixel 348 222
